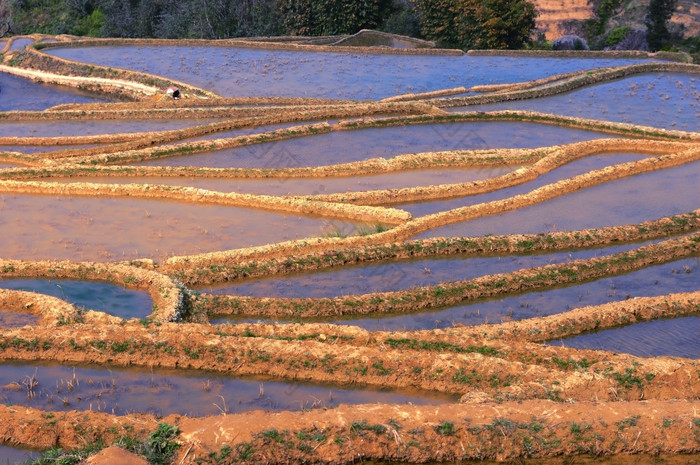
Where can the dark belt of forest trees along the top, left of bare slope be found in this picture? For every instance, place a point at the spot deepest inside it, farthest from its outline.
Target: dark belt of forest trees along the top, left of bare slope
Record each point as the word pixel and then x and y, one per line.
pixel 452 23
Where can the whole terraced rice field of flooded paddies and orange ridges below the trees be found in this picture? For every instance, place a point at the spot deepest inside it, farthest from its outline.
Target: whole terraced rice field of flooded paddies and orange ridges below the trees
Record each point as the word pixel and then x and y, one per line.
pixel 332 255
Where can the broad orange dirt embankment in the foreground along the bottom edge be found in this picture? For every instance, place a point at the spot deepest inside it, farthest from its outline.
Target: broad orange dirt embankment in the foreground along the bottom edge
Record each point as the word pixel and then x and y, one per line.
pixel 393 433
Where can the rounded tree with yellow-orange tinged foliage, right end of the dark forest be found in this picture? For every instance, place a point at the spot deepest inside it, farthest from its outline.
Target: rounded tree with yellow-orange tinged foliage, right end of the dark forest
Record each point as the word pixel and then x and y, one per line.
pixel 477 24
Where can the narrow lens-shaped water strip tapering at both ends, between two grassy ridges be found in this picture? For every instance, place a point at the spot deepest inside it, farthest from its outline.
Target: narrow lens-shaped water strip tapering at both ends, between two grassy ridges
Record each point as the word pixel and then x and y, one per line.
pixel 397 275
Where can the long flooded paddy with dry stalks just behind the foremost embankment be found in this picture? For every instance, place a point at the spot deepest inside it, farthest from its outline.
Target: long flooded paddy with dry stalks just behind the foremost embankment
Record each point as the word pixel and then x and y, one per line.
pixel 161 392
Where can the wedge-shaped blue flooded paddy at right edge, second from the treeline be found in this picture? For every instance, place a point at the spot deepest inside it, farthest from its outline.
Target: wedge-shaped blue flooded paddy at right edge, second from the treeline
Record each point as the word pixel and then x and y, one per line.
pixel 663 100
